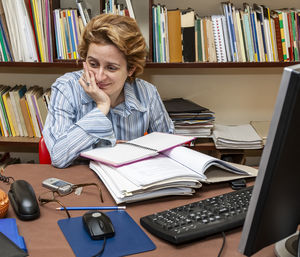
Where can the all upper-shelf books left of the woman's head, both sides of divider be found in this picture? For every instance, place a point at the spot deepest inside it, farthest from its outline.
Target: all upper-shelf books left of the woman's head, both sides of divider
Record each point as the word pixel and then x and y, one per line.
pixel 26 34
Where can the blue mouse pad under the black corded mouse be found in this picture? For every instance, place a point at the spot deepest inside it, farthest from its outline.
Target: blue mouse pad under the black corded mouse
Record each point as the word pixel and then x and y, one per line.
pixel 129 237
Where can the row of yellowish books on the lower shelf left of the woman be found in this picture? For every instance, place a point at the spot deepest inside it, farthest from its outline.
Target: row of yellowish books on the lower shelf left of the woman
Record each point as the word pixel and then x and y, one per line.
pixel 23 112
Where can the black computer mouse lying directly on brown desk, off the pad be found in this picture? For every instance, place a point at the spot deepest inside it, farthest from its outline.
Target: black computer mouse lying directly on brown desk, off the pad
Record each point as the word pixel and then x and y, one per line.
pixel 23 200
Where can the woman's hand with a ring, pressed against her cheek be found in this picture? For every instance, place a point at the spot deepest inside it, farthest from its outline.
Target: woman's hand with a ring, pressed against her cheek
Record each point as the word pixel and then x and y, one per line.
pixel 88 83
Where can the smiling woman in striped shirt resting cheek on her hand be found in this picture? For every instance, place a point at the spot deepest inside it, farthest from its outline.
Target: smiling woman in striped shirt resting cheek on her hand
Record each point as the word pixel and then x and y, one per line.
pixel 104 102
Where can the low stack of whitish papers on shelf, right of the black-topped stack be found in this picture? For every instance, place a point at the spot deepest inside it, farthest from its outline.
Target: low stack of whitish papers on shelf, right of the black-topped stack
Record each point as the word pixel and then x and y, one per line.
pixel 236 137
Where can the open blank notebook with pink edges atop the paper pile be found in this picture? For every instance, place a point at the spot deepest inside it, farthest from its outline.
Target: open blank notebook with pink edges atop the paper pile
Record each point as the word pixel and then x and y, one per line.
pixel 136 149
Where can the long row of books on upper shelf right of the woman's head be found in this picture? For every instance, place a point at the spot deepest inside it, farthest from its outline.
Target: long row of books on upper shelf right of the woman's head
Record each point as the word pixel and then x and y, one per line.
pixel 247 34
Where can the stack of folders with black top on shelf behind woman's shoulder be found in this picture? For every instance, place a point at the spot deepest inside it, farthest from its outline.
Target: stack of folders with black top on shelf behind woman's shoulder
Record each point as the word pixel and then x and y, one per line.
pixel 190 119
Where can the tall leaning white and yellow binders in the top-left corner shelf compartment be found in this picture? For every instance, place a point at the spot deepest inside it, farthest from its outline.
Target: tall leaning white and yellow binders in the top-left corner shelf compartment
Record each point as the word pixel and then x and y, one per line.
pixel 25 31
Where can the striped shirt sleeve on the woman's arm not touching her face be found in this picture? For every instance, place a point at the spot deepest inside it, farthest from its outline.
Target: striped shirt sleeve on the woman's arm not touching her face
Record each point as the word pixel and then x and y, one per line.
pixel 159 117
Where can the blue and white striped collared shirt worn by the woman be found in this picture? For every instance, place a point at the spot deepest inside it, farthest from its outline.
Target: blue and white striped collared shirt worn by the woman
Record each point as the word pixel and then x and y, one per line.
pixel 74 123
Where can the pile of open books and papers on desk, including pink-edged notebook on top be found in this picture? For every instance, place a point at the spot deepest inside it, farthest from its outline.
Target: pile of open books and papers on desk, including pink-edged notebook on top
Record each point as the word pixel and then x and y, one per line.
pixel 175 171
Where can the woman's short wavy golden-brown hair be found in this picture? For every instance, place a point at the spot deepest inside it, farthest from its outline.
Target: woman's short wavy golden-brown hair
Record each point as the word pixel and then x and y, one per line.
pixel 121 31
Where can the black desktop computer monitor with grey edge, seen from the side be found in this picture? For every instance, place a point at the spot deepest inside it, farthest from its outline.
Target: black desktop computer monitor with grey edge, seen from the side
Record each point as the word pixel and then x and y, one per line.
pixel 274 209
